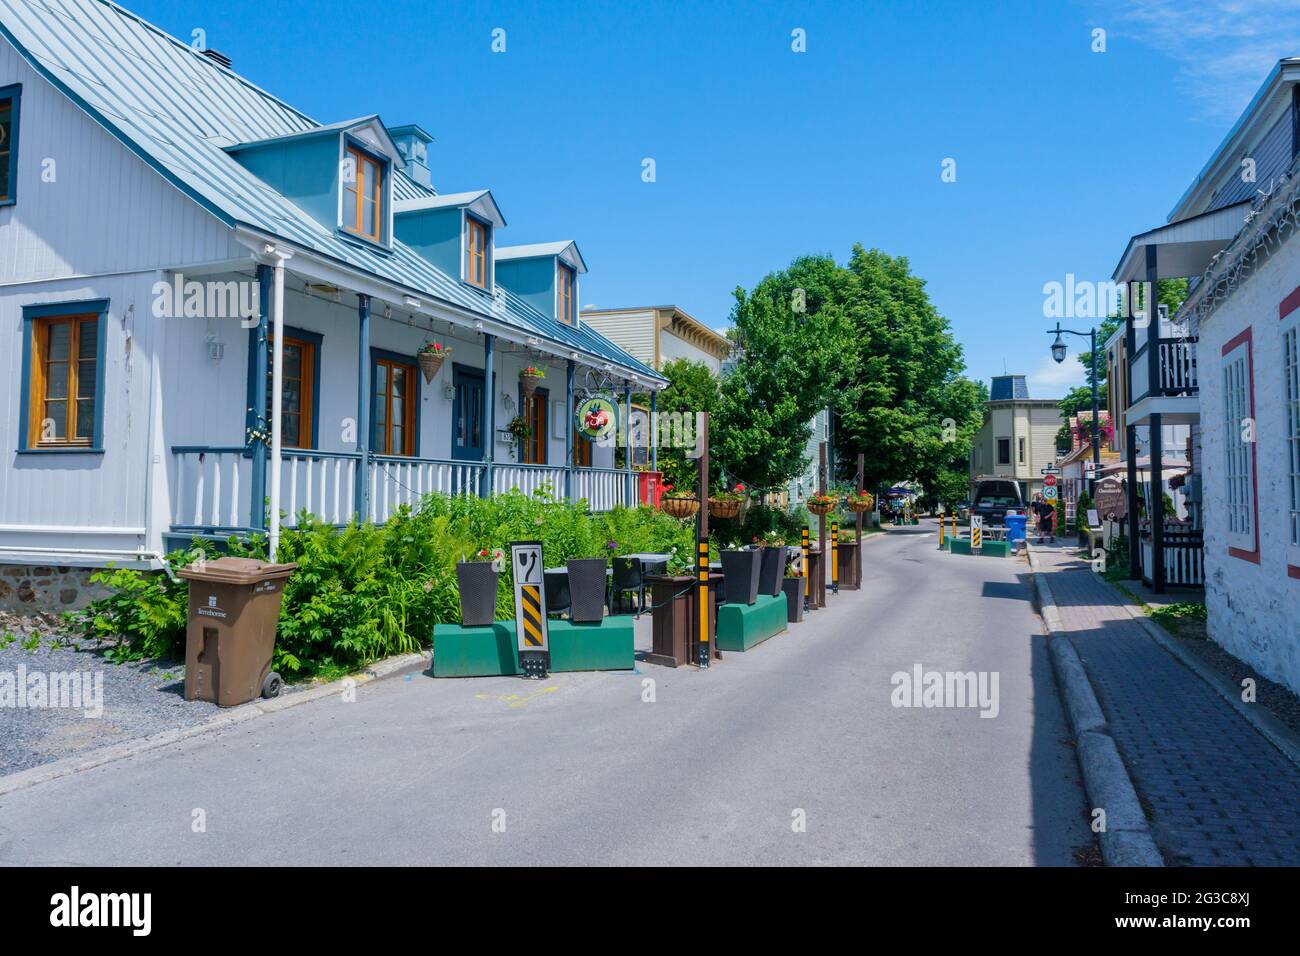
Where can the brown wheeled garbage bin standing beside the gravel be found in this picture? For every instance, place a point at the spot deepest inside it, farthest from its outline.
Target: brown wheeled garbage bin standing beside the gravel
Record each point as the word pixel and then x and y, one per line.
pixel 235 609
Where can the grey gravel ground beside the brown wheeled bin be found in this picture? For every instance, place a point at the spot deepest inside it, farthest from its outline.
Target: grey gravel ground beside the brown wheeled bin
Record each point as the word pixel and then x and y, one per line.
pixel 138 699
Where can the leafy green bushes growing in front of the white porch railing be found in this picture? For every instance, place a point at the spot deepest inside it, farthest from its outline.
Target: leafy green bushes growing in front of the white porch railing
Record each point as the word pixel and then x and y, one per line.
pixel 366 592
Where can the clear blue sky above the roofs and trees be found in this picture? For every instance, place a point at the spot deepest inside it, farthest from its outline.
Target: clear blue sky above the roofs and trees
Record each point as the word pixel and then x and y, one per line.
pixel 764 154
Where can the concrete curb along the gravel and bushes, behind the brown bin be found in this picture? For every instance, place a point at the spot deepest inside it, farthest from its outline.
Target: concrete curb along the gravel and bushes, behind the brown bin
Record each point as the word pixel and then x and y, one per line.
pixel 388 668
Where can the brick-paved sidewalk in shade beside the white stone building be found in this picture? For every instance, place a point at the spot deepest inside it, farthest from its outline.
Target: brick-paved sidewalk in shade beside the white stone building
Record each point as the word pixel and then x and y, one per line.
pixel 1215 790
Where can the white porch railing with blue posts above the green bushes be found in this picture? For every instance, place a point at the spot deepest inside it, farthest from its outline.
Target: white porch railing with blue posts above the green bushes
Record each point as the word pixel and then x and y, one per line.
pixel 213 486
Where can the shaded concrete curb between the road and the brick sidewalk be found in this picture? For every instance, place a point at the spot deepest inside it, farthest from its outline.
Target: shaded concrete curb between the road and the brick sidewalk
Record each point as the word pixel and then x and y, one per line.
pixel 1126 840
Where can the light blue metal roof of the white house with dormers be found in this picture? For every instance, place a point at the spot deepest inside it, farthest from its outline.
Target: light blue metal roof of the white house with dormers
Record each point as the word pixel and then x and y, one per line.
pixel 179 111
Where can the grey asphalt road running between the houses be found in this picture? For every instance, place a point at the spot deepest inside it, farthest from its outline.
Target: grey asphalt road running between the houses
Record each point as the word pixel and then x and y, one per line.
pixel 579 769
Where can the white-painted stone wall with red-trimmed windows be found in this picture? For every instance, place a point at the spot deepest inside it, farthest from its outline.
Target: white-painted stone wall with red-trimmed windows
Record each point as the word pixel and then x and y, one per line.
pixel 1254 605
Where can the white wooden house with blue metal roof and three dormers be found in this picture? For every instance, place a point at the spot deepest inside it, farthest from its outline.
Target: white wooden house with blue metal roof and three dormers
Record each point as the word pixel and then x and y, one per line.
pixel 175 241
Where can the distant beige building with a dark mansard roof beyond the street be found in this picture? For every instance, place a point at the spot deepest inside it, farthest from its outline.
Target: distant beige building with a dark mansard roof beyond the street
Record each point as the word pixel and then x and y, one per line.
pixel 1017 440
